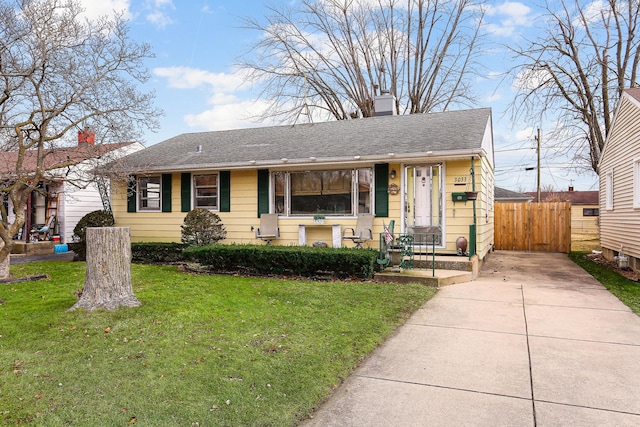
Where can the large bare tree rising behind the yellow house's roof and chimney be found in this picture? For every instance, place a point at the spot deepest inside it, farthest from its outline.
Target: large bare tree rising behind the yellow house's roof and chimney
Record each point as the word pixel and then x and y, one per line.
pixel 335 56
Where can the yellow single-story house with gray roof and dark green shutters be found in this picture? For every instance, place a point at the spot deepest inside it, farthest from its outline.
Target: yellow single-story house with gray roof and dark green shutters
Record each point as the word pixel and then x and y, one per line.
pixel 412 169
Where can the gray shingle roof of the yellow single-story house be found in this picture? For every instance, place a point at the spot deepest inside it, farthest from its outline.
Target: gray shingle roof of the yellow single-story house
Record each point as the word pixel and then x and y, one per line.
pixel 371 138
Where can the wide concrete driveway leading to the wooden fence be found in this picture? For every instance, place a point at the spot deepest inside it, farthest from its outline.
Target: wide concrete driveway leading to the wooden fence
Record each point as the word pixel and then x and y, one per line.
pixel 534 341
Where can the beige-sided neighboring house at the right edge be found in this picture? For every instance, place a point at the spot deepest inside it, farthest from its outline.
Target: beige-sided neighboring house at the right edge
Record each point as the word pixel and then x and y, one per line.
pixel 619 171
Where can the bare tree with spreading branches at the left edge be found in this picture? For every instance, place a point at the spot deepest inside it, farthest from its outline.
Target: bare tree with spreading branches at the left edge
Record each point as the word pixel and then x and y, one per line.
pixel 60 73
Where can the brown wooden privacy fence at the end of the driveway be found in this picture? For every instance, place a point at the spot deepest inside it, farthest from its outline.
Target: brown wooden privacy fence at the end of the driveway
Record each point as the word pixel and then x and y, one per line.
pixel 544 227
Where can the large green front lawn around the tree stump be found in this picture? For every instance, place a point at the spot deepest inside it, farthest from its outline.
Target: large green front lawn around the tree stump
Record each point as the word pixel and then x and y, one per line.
pixel 212 350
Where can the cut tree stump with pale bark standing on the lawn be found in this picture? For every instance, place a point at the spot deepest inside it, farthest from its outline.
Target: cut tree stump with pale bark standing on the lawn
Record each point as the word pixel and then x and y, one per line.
pixel 108 281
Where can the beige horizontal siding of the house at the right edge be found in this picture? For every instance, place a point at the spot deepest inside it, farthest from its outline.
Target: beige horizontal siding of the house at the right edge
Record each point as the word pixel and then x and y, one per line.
pixel 621 225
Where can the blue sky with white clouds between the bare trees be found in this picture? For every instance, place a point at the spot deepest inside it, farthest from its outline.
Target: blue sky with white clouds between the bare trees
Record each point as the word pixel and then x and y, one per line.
pixel 197 43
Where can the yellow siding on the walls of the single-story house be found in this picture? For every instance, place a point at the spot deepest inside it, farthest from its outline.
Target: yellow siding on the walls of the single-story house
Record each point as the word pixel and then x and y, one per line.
pixel 165 227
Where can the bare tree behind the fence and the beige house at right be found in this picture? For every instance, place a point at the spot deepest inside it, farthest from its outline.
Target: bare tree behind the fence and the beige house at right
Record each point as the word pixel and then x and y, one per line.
pixel 577 68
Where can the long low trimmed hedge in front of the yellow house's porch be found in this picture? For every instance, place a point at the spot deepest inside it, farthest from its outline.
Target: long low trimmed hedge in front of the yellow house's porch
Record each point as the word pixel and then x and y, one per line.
pixel 286 260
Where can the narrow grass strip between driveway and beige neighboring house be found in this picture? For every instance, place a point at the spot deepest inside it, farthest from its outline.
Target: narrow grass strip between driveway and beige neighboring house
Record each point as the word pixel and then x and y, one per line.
pixel 626 290
